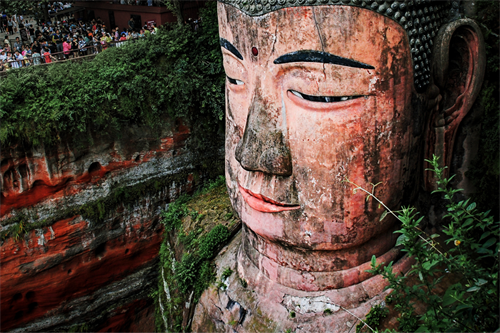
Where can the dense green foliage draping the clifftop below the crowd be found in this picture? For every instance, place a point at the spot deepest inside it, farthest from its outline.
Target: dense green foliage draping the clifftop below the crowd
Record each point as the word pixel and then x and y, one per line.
pixel 174 73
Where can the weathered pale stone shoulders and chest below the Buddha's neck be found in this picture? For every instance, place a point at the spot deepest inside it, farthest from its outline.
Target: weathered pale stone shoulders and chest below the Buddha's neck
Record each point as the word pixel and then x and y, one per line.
pixel 254 303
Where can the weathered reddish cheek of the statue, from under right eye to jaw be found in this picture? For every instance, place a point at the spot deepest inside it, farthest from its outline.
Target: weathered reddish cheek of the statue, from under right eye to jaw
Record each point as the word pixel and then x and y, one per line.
pixel 332 151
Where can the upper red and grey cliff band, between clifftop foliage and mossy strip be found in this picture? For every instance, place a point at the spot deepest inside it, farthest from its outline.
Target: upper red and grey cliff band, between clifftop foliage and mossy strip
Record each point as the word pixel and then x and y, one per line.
pixel 64 176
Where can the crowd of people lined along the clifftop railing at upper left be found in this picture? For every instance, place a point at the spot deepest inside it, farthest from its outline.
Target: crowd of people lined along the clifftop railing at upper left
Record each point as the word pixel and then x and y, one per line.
pixel 62 40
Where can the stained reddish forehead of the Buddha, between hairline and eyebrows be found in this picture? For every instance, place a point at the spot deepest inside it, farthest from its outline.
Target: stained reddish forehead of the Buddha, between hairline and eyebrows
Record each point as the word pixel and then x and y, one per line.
pixel 346 31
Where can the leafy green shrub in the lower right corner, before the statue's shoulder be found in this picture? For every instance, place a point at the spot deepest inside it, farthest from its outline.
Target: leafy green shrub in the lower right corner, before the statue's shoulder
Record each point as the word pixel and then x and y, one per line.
pixel 472 303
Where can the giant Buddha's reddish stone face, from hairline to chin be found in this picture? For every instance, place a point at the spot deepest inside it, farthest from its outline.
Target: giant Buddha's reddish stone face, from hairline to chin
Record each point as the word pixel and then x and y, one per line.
pixel 317 96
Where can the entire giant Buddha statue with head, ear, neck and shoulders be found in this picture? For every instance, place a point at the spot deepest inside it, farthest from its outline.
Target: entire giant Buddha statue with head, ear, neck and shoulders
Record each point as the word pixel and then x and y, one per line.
pixel 320 95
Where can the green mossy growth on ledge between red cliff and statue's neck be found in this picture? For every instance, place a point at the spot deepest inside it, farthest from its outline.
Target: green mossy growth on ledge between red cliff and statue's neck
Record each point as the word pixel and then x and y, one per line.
pixel 193 273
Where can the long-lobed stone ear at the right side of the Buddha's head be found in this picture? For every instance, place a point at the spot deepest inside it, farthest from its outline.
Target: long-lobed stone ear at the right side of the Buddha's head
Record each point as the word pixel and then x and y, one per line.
pixel 458 67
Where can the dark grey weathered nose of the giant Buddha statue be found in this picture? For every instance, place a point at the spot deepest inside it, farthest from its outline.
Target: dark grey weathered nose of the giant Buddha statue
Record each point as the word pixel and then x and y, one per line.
pixel 263 146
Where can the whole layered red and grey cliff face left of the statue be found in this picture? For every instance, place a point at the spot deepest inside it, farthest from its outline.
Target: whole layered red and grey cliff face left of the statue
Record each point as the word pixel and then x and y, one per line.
pixel 80 228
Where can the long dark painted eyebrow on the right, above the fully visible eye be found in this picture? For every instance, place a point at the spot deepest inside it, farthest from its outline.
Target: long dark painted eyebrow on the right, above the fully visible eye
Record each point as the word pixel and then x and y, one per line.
pixel 321 57
